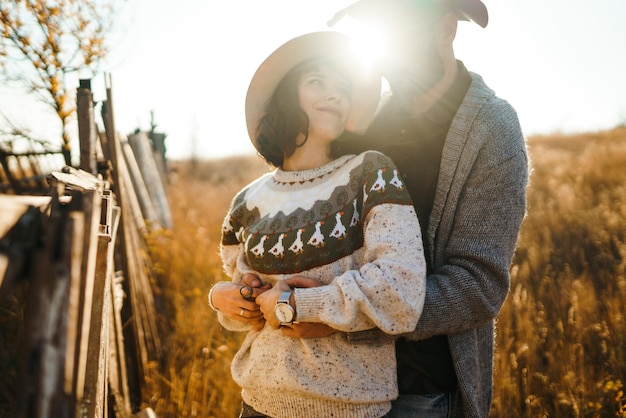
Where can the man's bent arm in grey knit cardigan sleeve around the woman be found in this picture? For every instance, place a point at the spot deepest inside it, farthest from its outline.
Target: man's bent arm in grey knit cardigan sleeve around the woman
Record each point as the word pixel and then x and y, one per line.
pixel 469 288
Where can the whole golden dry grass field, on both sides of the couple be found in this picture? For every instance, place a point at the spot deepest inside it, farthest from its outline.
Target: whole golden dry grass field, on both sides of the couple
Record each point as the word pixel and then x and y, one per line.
pixel 561 342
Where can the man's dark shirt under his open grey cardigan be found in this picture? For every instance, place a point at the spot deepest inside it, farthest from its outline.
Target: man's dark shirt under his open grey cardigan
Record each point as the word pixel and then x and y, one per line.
pixel 415 145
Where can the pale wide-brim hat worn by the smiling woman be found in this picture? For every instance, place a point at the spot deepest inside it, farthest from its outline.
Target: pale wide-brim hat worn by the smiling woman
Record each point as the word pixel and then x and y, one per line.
pixel 366 86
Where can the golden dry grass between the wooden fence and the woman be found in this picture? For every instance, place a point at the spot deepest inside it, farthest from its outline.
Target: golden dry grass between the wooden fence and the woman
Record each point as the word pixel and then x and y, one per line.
pixel 193 379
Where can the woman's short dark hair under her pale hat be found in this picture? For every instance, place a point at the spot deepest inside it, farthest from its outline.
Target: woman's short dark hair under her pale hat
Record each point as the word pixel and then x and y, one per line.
pixel 284 119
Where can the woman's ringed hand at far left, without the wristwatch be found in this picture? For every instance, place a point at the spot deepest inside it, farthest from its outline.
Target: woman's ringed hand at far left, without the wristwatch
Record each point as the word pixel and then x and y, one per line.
pixel 237 300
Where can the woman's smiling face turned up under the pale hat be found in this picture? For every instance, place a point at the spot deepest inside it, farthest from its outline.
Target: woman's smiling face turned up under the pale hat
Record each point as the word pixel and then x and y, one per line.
pixel 324 96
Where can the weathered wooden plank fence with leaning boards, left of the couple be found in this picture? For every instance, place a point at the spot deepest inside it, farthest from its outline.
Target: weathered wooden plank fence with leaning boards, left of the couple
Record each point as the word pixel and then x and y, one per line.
pixel 89 334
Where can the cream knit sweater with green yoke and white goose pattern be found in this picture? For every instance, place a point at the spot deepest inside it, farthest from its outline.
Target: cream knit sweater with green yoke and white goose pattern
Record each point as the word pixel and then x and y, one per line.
pixel 350 224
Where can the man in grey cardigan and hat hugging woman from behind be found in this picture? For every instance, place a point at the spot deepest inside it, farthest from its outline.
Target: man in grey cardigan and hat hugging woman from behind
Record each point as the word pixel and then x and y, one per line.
pixel 463 157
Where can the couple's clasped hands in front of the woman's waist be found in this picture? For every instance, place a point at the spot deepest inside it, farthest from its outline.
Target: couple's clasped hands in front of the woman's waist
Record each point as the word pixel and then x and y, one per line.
pixel 251 301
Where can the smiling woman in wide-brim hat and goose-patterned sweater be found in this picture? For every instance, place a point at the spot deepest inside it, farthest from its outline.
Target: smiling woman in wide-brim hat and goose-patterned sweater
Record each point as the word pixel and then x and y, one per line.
pixel 348 223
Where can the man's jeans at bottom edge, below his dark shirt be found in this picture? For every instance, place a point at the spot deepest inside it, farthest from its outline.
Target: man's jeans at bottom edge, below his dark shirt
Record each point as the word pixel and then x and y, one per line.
pixel 422 406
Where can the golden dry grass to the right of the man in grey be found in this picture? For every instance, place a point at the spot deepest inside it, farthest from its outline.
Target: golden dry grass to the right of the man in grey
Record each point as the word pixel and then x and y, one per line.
pixel 561 335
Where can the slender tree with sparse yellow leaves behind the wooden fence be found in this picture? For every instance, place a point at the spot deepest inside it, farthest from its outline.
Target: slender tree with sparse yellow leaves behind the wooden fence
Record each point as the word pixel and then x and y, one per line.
pixel 45 40
